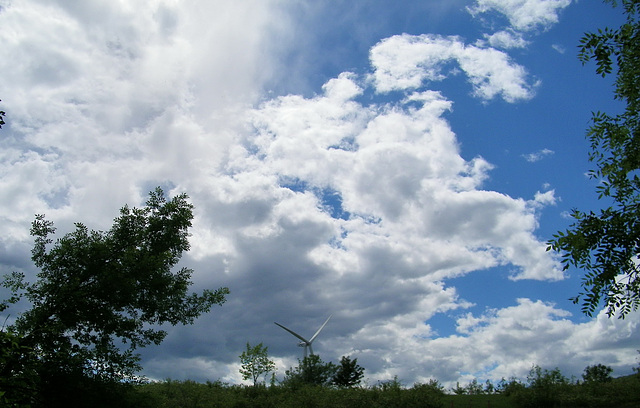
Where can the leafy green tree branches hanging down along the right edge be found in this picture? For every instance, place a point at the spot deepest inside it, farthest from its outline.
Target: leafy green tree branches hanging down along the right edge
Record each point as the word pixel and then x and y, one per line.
pixel 606 244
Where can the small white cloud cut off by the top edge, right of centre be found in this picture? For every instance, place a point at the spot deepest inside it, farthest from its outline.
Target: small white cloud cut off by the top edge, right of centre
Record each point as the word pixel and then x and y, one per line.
pixel 523 15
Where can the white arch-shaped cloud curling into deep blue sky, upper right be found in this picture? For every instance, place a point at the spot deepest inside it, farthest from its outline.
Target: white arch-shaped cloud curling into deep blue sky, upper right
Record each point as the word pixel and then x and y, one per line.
pixel 405 62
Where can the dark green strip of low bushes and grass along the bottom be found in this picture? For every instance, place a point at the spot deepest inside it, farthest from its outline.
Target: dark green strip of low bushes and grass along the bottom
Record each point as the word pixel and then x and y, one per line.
pixel 542 388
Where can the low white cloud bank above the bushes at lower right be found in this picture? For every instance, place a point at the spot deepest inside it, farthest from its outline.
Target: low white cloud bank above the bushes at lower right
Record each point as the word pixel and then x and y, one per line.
pixel 499 343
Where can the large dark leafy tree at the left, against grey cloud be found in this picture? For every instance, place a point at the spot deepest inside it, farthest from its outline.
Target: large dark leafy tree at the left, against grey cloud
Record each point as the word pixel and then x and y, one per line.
pixel 101 295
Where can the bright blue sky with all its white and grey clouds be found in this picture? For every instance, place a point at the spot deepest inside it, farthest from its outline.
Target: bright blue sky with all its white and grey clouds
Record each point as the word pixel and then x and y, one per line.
pixel 397 165
